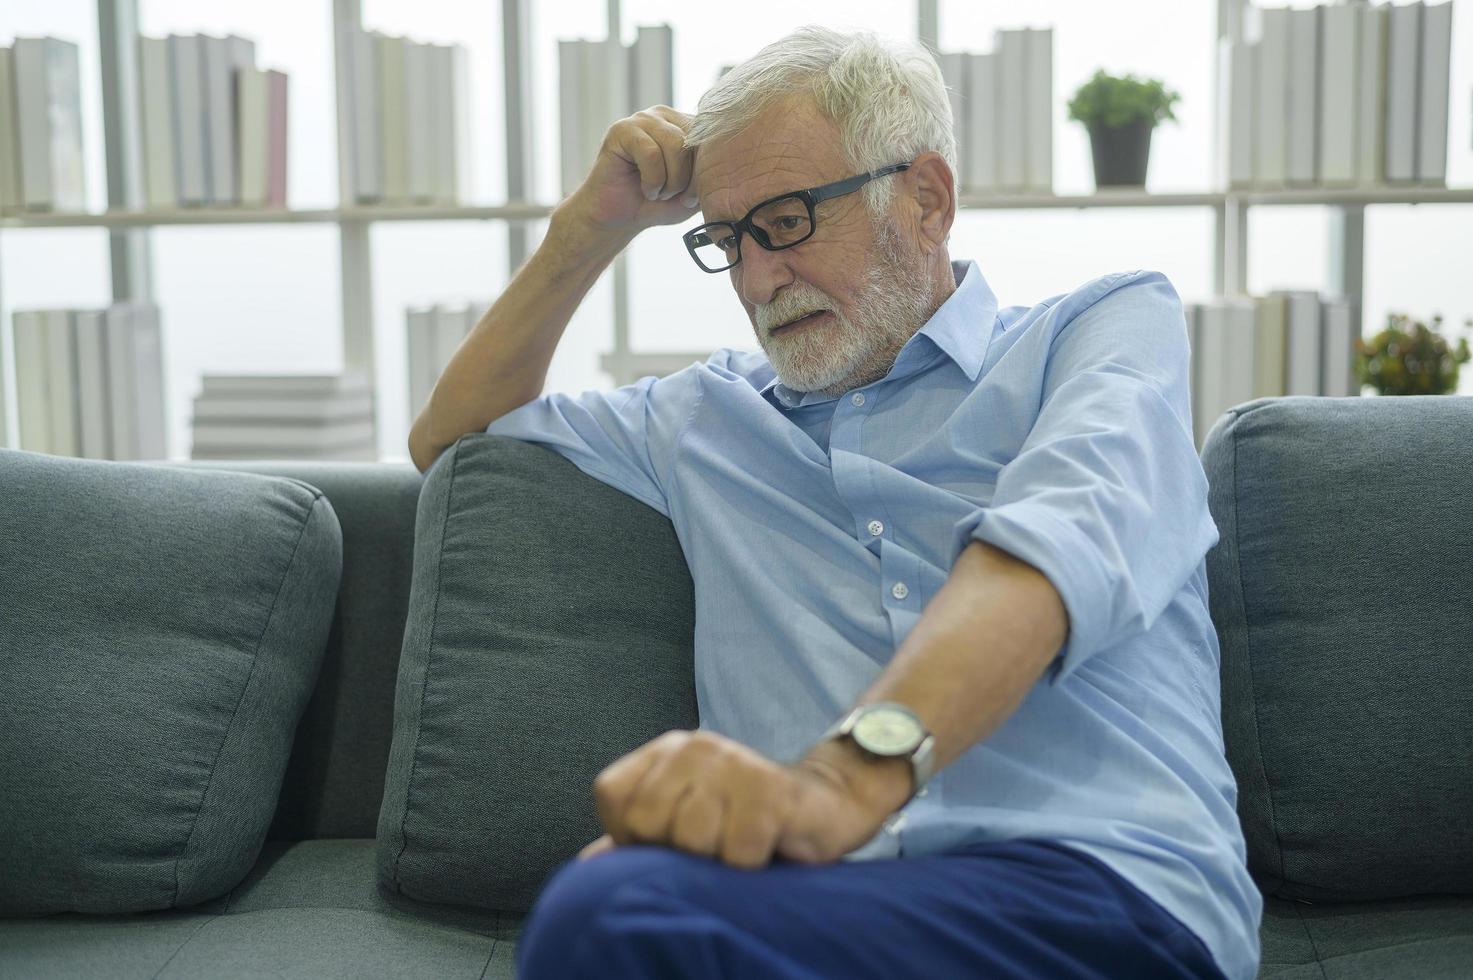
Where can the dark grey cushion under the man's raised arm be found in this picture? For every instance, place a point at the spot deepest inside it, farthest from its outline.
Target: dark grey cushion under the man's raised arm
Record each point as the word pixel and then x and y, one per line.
pixel 552 631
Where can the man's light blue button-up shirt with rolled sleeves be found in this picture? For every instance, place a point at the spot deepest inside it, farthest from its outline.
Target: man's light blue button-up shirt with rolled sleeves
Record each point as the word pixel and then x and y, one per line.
pixel 817 530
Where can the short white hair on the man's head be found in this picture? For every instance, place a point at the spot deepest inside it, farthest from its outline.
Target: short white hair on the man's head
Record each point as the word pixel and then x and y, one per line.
pixel 886 97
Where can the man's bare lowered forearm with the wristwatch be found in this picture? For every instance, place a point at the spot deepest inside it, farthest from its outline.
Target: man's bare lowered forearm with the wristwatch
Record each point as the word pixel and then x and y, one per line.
pixel 966 668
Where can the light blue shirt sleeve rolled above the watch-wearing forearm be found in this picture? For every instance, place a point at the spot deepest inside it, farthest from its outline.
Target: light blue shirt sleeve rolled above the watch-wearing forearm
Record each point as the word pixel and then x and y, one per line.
pixel 1107 497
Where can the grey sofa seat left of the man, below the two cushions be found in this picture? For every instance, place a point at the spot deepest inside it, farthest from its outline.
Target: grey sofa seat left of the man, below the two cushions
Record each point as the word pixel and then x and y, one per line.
pixel 307 910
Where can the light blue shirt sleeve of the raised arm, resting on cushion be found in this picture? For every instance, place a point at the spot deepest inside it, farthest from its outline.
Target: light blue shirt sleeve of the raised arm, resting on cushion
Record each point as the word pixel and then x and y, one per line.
pixel 625 438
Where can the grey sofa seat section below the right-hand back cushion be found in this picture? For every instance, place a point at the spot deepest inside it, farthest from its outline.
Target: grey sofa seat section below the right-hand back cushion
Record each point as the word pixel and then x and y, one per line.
pixel 1430 939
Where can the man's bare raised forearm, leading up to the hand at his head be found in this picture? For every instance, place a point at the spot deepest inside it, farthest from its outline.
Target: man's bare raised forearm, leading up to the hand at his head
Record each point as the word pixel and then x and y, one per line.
pixel 505 362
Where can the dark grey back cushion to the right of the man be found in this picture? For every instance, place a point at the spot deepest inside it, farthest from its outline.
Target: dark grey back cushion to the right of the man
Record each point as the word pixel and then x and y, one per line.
pixel 1343 593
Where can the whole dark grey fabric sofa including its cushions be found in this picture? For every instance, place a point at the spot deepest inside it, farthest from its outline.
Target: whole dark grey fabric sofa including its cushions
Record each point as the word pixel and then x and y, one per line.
pixel 1343 592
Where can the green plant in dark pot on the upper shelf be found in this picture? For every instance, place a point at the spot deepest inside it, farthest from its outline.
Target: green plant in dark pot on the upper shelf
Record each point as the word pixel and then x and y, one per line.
pixel 1120 116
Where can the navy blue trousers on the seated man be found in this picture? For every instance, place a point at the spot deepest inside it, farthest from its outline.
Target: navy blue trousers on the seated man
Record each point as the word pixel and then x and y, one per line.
pixel 1019 909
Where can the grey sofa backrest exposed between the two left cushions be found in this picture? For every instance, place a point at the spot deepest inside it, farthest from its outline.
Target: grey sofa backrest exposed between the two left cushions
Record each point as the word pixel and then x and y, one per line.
pixel 334 782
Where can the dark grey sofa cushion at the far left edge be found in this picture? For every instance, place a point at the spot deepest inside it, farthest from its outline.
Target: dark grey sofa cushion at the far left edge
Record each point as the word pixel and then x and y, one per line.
pixel 161 633
